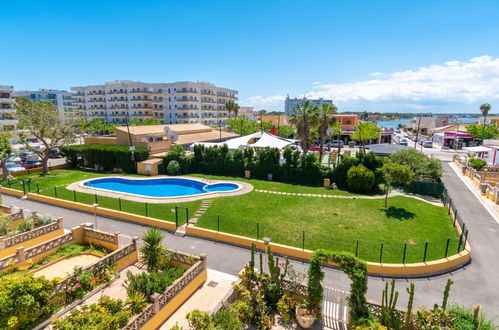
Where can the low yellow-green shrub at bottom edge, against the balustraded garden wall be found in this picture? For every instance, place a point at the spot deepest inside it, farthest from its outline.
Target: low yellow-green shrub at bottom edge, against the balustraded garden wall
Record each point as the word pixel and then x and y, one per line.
pixel 107 313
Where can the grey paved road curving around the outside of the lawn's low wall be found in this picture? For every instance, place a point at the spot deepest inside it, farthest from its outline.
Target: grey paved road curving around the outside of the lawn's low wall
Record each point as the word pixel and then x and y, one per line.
pixel 476 283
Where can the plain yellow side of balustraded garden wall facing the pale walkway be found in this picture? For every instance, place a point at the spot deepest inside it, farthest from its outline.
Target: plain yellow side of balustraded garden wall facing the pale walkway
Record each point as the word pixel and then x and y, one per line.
pixel 176 302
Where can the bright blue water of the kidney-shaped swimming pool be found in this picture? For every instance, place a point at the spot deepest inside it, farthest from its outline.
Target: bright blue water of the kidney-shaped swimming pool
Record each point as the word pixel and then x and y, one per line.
pixel 166 187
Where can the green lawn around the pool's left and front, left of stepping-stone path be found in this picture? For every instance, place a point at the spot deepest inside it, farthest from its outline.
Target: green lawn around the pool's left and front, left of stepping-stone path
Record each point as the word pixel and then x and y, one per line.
pixel 54 185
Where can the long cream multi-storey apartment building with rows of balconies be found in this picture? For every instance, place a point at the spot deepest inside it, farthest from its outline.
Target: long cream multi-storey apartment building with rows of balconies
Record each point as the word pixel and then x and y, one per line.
pixel 169 103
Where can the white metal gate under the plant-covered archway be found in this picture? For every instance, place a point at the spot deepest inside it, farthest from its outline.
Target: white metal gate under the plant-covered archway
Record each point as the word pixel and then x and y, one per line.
pixel 335 309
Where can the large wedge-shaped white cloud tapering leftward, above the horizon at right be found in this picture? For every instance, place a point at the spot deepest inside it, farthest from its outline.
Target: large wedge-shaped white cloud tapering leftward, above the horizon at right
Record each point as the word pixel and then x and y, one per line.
pixel 453 81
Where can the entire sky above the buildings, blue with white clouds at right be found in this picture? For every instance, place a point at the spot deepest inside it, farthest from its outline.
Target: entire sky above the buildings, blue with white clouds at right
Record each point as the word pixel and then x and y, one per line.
pixel 420 56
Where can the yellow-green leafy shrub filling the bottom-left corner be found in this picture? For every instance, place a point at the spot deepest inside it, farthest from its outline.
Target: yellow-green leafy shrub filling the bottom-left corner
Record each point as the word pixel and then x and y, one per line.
pixel 25 300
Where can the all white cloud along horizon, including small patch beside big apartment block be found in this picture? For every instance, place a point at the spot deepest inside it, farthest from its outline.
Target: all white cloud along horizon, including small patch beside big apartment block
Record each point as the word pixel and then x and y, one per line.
pixel 453 86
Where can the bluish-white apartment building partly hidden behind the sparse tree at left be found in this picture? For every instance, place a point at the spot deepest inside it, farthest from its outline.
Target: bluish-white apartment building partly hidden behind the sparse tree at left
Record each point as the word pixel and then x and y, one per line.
pixel 63 100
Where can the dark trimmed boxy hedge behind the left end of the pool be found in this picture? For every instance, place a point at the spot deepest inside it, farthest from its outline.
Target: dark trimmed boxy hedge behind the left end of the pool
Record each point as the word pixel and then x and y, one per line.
pixel 107 156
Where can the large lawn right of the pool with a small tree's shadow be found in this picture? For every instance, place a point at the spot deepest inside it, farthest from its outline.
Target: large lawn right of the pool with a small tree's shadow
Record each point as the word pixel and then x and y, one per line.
pixel 337 224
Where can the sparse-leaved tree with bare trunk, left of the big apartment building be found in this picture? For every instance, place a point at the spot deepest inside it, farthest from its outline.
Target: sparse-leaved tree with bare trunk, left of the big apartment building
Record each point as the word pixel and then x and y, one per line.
pixel 42 120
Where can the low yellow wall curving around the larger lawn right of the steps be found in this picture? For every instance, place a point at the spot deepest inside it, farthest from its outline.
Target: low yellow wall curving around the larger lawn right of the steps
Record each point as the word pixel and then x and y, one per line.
pixel 373 268
